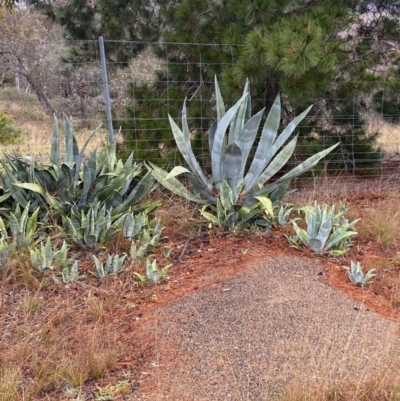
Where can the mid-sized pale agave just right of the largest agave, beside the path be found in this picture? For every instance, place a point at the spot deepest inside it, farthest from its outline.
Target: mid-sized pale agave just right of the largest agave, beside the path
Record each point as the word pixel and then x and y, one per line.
pixel 326 231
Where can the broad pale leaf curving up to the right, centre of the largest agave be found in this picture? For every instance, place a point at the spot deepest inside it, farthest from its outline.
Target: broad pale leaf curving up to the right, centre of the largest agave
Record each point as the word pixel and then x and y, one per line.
pixel 218 146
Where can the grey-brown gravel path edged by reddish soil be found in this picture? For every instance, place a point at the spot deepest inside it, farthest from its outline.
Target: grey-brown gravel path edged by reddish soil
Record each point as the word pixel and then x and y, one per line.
pixel 276 324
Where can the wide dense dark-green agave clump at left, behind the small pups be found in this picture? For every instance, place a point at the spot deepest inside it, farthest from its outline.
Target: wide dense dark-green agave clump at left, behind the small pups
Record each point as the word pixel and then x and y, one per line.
pixel 73 183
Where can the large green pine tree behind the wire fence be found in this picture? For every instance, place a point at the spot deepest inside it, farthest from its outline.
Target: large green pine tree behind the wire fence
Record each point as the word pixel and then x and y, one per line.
pixel 331 53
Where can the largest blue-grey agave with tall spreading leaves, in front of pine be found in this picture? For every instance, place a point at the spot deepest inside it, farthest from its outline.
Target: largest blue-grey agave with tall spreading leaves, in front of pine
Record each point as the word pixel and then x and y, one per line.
pixel 231 183
